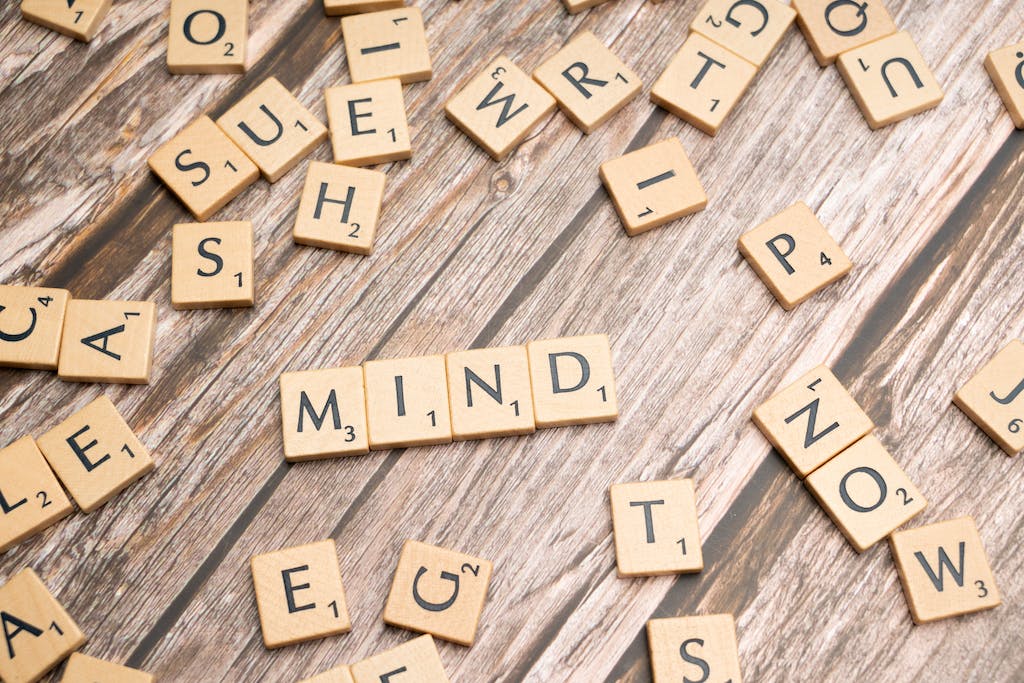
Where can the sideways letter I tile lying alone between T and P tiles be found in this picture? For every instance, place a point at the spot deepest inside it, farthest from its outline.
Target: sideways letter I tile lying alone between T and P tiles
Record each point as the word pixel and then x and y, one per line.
pixel 654 186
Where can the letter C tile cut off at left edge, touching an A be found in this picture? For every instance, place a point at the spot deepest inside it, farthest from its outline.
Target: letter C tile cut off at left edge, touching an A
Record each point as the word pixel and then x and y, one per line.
pixel 31 323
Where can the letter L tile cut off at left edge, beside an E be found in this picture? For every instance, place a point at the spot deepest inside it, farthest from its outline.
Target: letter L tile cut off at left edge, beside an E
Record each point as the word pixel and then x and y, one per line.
pixel 31 499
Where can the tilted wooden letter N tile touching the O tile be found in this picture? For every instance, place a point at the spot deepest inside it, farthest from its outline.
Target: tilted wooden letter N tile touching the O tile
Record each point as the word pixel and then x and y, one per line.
pixel 813 420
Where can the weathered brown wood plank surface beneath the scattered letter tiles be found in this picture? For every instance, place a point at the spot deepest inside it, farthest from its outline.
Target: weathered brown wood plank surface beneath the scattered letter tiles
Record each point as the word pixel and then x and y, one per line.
pixel 473 253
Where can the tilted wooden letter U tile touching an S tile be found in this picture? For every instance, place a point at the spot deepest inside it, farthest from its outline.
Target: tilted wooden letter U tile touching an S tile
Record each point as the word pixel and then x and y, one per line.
pixel 273 129
